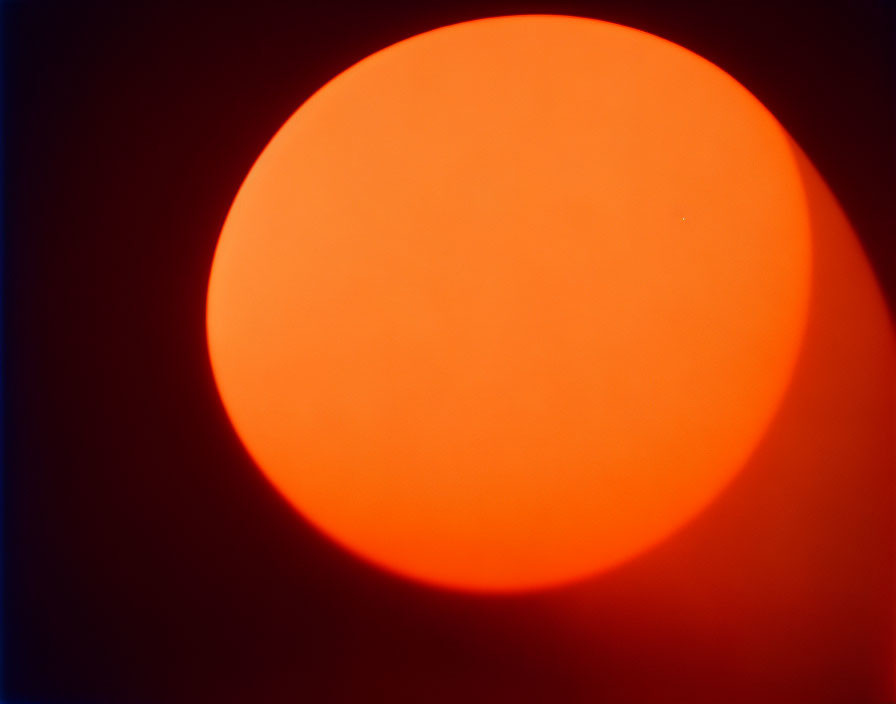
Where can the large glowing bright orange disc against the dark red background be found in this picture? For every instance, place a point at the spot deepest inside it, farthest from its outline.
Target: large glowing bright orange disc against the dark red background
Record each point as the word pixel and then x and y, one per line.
pixel 508 302
